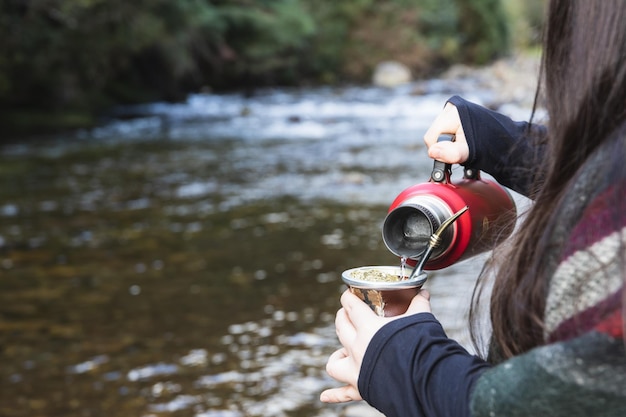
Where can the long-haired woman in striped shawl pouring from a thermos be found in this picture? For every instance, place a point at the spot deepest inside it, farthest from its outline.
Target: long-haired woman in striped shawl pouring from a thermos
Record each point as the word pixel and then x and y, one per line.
pixel 557 307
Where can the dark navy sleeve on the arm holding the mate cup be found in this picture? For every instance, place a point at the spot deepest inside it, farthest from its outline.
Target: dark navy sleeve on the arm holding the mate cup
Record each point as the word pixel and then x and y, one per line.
pixel 411 368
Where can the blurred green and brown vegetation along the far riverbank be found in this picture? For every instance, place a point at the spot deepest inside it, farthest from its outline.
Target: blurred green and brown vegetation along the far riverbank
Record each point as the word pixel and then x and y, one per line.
pixel 64 62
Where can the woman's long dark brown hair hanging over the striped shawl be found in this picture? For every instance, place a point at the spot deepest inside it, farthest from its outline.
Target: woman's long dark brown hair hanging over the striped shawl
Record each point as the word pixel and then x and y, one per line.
pixel 584 82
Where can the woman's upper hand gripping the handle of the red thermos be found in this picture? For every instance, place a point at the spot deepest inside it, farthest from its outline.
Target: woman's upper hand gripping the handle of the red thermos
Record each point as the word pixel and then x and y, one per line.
pixel 448 122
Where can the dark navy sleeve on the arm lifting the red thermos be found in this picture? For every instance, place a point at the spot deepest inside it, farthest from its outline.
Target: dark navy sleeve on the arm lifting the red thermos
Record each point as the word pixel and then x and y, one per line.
pixel 510 151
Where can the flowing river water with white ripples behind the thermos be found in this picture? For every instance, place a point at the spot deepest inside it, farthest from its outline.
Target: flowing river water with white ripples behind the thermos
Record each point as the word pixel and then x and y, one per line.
pixel 186 261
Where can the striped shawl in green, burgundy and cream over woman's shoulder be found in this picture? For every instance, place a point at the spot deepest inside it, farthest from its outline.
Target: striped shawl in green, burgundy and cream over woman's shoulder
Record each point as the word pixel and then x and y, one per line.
pixel 581 370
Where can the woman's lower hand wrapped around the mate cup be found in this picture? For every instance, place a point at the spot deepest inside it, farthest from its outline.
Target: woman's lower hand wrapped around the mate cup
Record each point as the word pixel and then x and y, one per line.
pixel 356 324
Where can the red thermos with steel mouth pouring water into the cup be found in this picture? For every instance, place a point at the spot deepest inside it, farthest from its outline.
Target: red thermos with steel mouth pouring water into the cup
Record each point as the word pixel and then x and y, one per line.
pixel 418 211
